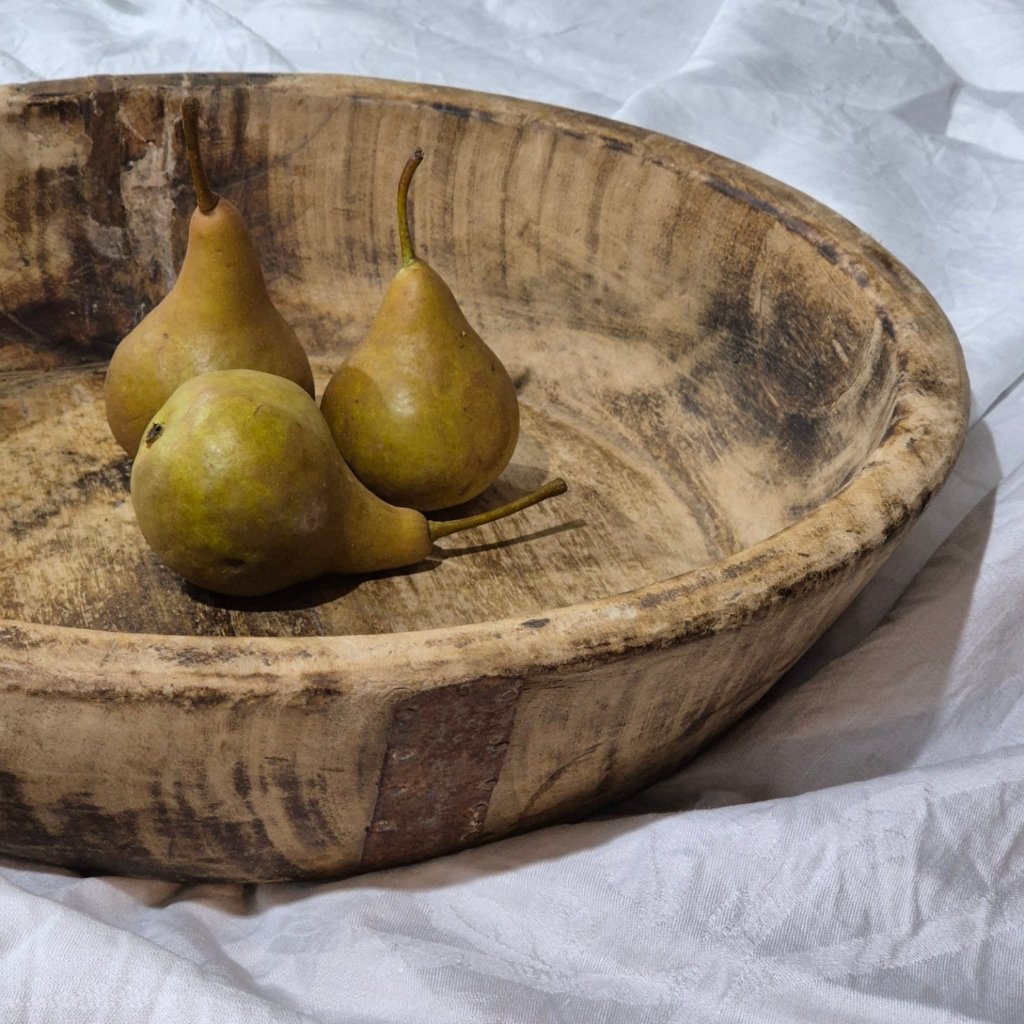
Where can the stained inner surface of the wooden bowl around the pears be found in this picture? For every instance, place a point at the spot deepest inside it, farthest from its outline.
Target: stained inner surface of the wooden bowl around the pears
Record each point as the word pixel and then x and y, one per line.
pixel 702 369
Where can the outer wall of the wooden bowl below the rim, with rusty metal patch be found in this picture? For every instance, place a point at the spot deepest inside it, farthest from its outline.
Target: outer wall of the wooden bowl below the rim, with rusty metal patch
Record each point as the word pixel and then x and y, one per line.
pixel 245 781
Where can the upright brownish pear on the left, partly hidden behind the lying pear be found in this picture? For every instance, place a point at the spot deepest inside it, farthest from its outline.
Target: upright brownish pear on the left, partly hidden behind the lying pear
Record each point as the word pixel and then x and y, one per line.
pixel 219 316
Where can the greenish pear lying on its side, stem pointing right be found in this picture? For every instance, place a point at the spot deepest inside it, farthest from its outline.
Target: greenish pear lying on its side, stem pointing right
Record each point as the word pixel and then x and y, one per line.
pixel 239 487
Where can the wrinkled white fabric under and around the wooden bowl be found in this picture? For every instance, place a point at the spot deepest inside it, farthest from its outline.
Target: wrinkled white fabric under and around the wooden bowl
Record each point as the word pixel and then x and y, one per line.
pixel 852 851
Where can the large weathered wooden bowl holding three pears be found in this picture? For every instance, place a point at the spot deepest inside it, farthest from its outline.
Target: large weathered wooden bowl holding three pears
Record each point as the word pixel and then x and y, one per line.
pixel 751 400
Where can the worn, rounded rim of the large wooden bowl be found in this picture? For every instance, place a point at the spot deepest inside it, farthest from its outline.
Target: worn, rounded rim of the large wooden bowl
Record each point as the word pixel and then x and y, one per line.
pixel 923 439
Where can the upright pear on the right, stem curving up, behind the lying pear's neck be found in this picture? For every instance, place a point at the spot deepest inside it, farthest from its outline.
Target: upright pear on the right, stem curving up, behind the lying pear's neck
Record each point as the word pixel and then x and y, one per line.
pixel 422 410
